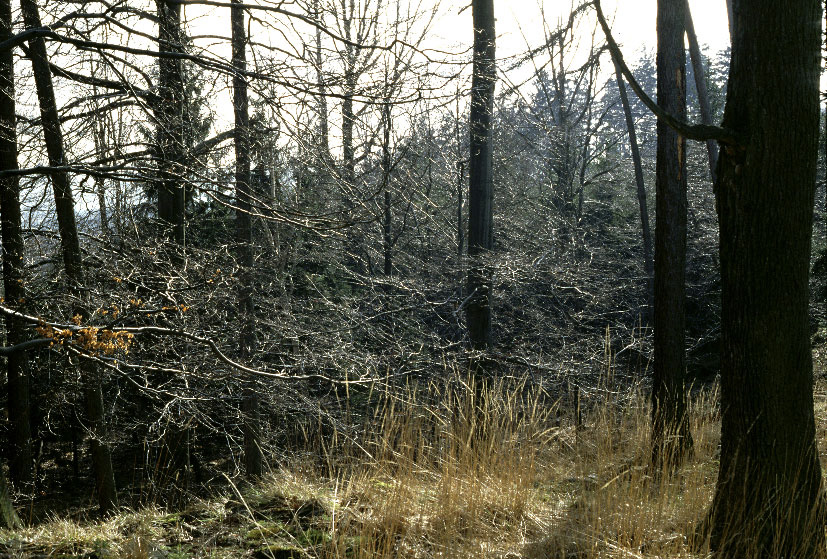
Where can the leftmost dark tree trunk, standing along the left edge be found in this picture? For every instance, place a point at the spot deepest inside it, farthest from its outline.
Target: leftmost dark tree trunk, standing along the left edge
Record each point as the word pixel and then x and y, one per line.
pixel 20 447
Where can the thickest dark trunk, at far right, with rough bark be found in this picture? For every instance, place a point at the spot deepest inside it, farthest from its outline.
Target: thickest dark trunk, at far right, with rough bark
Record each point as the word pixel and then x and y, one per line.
pixel 769 498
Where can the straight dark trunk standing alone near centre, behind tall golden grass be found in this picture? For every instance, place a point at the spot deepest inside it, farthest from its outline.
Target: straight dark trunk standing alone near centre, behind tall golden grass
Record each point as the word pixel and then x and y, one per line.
pixel 481 190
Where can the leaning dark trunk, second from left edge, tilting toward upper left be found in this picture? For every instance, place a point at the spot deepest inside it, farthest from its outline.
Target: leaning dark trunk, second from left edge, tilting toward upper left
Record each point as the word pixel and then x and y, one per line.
pixel 72 260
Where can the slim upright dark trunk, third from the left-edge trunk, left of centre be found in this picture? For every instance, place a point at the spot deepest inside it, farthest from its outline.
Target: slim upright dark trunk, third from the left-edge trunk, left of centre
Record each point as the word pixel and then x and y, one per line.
pixel 253 462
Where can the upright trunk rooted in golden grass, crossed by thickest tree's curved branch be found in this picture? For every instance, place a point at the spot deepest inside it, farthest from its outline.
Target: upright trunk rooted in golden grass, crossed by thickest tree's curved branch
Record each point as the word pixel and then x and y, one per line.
pixel 670 424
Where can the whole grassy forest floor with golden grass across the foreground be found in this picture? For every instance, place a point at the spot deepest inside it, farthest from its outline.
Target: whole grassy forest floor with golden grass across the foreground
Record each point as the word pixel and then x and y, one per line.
pixel 535 482
